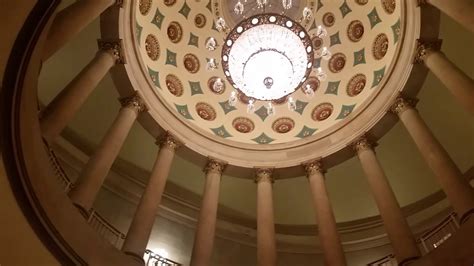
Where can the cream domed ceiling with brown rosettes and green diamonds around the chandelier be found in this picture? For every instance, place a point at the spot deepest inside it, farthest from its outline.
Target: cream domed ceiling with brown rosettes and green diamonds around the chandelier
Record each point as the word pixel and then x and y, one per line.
pixel 363 37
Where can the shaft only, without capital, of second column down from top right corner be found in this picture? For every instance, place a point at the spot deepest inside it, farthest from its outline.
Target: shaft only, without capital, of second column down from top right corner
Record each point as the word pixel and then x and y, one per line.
pixel 460 84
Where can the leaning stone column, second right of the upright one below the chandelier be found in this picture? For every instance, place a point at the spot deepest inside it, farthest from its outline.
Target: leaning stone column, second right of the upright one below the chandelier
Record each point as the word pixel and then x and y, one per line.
pixel 398 231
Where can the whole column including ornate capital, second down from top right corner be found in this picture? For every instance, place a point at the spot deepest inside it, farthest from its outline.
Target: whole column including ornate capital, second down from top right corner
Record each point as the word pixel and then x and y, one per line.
pixel 453 78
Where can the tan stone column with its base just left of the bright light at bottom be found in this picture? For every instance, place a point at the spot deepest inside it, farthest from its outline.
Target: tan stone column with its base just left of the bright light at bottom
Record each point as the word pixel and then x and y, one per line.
pixel 142 223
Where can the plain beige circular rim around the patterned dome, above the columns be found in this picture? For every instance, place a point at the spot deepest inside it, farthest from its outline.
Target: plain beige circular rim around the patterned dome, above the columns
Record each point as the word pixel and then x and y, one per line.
pixel 244 155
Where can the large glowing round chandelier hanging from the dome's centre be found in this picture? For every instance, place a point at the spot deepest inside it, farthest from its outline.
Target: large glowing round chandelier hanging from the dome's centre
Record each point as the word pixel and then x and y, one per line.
pixel 267 57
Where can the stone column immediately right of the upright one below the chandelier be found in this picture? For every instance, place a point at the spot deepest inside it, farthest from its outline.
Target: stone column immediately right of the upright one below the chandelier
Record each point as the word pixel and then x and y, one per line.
pixel 329 237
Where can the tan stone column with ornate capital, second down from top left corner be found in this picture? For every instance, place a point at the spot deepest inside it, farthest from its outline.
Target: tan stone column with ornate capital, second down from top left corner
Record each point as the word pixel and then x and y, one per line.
pixel 55 117
